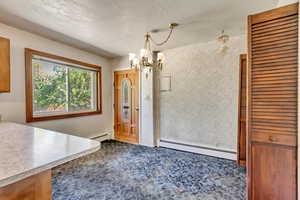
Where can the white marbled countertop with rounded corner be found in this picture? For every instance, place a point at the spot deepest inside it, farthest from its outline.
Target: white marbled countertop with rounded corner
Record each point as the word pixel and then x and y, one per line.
pixel 25 150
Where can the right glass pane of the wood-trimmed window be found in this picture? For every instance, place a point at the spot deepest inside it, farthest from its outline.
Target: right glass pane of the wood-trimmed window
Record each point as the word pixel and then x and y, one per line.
pixel 82 88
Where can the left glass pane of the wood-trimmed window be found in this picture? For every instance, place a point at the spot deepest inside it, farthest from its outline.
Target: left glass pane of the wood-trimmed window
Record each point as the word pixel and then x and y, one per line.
pixel 49 86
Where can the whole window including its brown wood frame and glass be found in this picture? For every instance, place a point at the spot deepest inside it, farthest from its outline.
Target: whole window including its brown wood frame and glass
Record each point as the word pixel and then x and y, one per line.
pixel 58 87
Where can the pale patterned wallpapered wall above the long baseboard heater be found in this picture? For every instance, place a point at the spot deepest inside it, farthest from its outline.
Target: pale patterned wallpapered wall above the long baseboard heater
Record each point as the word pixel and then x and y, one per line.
pixel 202 106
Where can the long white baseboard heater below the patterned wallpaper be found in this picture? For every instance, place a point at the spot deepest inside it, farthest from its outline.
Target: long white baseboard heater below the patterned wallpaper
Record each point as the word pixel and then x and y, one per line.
pixel 210 151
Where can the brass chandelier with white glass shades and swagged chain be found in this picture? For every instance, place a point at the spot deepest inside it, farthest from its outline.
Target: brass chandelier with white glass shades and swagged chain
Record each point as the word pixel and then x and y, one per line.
pixel 146 60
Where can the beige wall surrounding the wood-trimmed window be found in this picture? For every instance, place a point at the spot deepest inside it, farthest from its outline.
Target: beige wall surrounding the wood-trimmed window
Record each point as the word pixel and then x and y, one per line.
pixel 12 105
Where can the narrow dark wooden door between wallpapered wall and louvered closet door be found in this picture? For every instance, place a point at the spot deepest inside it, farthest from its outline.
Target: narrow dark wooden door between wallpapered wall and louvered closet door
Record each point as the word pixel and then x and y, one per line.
pixel 241 159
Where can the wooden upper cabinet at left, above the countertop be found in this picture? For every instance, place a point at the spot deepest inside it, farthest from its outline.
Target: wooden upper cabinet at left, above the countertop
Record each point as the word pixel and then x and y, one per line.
pixel 4 65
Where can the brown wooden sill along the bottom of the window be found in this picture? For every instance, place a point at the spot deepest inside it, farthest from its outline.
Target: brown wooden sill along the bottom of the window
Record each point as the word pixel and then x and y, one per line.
pixel 54 117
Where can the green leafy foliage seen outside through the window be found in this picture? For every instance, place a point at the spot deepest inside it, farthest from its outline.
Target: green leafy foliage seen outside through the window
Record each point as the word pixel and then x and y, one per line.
pixel 64 89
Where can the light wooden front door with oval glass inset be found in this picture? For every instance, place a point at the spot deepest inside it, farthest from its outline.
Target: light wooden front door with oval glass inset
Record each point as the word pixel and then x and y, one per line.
pixel 126 105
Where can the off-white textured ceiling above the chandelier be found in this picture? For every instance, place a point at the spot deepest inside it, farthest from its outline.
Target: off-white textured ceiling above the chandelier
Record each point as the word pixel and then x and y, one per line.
pixel 116 27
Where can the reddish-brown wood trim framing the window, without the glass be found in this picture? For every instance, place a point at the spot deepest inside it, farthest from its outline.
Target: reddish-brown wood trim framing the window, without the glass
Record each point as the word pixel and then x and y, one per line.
pixel 28 87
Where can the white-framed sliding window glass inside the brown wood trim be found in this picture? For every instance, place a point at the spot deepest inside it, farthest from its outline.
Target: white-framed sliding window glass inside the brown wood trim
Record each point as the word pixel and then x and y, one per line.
pixel 60 88
